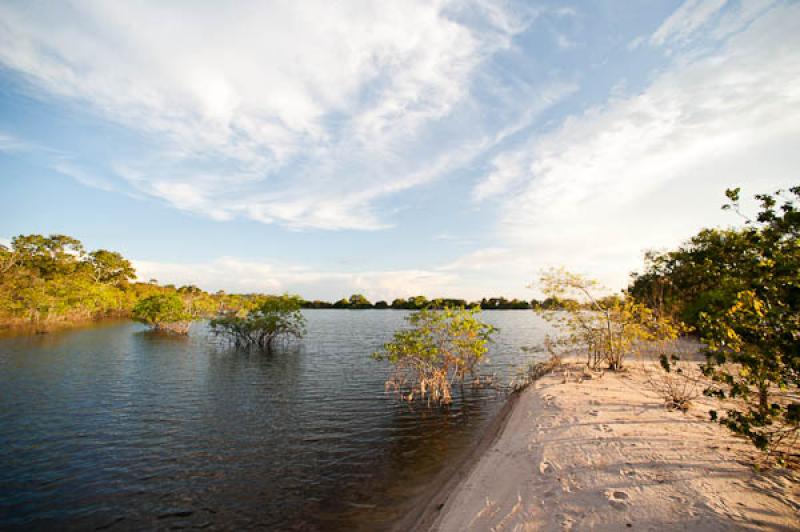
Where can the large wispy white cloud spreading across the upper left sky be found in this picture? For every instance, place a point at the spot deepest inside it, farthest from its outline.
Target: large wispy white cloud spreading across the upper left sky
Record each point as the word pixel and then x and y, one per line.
pixel 301 113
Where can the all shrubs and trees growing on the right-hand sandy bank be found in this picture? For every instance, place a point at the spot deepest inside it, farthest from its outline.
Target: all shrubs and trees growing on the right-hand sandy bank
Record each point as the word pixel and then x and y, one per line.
pixel 736 289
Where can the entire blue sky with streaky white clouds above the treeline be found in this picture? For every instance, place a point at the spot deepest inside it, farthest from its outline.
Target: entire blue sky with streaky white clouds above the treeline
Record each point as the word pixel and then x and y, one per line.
pixel 394 148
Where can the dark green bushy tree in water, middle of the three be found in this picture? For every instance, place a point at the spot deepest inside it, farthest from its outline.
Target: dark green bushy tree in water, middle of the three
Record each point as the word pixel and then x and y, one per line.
pixel 276 317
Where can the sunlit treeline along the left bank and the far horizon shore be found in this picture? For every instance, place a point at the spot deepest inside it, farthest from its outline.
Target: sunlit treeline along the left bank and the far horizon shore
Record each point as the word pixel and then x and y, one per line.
pixel 47 280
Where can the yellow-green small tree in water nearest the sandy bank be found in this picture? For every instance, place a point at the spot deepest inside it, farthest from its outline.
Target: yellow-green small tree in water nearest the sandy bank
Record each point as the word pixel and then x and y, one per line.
pixel 439 349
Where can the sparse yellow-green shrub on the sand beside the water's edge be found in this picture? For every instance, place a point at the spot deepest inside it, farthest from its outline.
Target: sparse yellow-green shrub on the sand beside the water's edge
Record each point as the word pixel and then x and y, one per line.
pixel 607 329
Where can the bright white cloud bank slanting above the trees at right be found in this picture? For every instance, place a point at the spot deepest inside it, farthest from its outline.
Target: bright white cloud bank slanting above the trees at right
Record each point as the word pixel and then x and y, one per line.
pixel 648 170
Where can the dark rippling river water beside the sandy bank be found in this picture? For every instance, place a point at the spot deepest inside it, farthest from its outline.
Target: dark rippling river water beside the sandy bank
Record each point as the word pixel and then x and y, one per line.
pixel 116 427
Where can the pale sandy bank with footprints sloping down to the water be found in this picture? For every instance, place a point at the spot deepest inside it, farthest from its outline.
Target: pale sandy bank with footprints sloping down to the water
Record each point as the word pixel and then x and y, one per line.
pixel 605 454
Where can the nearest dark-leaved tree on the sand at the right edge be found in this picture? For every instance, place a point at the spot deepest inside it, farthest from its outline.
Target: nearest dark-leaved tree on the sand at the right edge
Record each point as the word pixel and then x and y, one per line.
pixel 753 334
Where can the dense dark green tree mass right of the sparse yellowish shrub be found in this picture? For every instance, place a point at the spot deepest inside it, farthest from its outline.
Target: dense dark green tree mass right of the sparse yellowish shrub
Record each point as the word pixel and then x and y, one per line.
pixel 740 288
